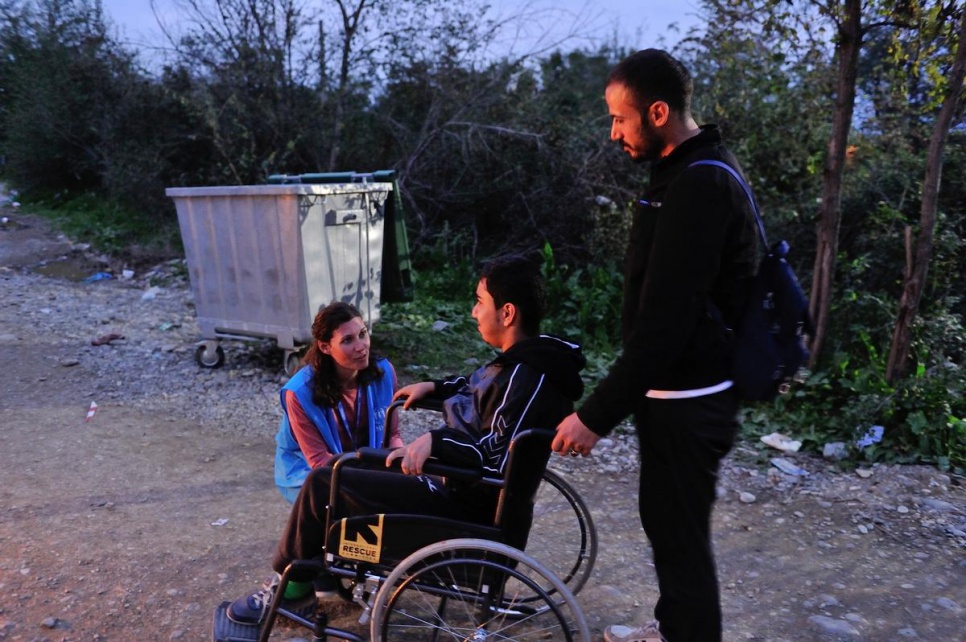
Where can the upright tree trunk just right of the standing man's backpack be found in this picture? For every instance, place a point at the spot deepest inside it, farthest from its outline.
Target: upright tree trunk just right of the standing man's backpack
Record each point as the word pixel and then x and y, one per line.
pixel 848 45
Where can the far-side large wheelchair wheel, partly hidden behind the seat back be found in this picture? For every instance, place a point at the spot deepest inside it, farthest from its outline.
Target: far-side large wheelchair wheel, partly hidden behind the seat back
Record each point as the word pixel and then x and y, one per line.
pixel 563 536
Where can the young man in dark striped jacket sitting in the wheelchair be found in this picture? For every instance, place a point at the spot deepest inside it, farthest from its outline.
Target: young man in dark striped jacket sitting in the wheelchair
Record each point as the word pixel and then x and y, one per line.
pixel 533 382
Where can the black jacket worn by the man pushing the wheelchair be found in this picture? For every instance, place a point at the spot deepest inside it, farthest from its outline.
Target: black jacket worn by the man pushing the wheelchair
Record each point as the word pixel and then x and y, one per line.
pixel 693 243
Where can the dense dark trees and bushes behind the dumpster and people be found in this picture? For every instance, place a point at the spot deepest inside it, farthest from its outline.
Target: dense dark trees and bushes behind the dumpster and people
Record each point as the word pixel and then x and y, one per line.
pixel 502 150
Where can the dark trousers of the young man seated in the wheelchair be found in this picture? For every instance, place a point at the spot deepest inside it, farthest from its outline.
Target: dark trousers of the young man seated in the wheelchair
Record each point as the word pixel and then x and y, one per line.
pixel 361 492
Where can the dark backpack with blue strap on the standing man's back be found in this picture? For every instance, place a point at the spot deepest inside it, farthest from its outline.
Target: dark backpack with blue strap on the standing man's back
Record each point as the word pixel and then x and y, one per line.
pixel 769 344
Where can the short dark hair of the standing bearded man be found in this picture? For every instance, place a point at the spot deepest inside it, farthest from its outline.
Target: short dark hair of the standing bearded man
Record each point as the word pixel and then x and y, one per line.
pixel 653 74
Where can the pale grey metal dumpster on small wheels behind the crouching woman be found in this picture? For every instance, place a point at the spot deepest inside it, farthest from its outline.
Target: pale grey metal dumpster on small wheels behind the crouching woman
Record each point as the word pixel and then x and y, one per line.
pixel 263 258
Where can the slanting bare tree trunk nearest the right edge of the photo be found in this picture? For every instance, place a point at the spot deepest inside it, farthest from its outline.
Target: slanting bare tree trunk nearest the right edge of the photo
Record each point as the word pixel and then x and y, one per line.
pixel 915 278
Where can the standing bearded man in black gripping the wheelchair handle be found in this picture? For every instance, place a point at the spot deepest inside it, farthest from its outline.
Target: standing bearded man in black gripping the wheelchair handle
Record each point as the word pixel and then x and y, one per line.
pixel 690 261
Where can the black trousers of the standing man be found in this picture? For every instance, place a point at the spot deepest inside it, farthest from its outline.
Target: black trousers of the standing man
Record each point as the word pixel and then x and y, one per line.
pixel 682 442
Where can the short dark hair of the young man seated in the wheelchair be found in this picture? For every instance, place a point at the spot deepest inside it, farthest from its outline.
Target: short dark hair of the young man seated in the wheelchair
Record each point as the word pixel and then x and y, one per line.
pixel 517 280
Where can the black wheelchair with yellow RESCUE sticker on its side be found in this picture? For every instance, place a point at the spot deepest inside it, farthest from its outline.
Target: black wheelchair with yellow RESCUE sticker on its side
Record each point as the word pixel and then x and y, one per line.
pixel 420 577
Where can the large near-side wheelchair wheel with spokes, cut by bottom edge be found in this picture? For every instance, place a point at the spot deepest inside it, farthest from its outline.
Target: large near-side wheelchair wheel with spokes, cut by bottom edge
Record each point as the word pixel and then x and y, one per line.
pixel 469 590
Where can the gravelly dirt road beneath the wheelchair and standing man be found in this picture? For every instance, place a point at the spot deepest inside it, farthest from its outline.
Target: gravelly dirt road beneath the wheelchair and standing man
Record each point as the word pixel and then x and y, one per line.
pixel 135 524
